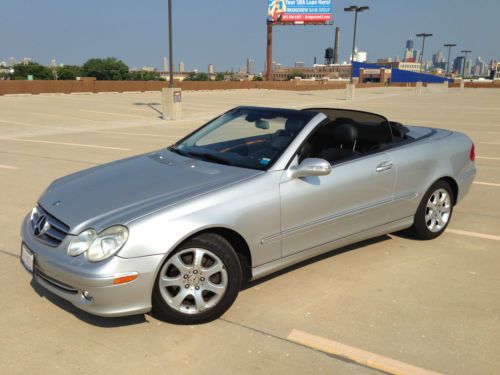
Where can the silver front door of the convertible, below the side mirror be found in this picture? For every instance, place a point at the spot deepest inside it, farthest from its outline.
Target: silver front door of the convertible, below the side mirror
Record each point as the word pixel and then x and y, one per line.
pixel 354 197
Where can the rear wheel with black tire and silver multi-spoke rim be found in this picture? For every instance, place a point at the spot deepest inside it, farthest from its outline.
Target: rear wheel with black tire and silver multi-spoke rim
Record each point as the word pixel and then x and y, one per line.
pixel 434 212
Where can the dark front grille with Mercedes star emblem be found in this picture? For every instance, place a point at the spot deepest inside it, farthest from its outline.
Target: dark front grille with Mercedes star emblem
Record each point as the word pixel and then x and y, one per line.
pixel 46 228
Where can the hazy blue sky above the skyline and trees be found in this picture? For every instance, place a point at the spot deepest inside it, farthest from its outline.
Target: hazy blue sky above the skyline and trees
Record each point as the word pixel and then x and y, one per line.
pixel 226 32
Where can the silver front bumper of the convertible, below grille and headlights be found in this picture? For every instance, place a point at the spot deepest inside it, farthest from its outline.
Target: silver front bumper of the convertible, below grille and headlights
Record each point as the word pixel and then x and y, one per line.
pixel 90 286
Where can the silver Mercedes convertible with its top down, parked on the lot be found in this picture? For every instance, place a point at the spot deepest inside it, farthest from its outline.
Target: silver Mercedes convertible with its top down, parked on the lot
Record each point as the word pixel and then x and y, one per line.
pixel 177 231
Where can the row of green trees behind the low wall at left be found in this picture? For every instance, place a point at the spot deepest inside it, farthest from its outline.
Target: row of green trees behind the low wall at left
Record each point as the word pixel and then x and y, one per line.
pixel 109 69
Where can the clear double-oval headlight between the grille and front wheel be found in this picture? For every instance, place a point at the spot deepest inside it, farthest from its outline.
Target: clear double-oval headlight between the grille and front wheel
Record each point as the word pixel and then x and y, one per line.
pixel 99 246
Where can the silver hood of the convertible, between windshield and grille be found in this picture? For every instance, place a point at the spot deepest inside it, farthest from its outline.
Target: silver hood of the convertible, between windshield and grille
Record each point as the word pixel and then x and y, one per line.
pixel 121 191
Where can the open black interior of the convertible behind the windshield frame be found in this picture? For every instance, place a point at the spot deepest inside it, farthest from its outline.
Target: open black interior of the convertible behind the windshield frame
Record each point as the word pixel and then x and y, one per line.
pixel 348 134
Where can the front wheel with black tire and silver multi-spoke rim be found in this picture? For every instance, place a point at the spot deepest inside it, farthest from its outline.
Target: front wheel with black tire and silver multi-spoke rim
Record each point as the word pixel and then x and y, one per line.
pixel 198 282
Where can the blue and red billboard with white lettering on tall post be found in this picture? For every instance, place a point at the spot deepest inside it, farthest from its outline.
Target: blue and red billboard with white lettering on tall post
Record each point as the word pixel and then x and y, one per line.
pixel 299 11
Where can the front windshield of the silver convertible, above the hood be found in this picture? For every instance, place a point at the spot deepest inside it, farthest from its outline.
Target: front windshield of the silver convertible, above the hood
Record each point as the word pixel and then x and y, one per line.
pixel 245 137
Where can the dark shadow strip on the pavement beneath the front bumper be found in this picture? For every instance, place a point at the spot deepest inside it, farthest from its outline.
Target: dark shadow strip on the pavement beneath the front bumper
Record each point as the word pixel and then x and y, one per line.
pixel 94 320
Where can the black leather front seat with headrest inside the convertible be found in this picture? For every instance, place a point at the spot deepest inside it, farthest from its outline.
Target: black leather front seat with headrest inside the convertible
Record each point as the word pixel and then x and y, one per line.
pixel 344 137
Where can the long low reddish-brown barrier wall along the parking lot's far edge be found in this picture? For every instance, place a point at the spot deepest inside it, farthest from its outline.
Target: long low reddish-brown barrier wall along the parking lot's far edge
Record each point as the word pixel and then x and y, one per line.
pixel 93 86
